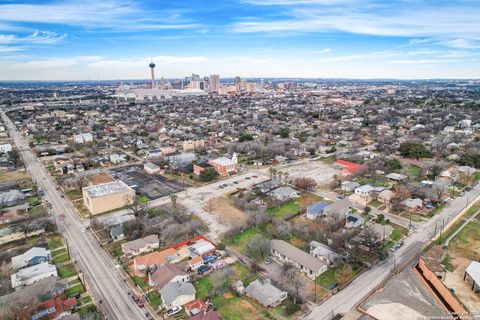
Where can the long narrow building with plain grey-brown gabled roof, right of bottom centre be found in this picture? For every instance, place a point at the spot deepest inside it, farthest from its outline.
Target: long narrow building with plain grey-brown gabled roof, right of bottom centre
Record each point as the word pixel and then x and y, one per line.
pixel 284 252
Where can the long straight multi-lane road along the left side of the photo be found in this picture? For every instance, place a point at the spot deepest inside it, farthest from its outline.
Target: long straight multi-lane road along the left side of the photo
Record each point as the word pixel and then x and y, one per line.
pixel 101 274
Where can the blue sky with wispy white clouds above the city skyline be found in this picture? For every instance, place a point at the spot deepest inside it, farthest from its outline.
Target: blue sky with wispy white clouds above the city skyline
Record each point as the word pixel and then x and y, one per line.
pixel 117 39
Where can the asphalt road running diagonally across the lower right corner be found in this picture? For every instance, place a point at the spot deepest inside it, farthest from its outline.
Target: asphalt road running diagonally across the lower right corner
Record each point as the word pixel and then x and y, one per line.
pixel 349 297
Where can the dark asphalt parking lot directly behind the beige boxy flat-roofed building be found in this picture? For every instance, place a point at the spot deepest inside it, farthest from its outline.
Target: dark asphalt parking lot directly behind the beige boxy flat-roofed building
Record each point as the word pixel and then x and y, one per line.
pixel 152 186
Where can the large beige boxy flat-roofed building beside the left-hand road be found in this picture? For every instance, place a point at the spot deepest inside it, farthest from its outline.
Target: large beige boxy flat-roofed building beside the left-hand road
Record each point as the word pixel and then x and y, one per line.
pixel 107 196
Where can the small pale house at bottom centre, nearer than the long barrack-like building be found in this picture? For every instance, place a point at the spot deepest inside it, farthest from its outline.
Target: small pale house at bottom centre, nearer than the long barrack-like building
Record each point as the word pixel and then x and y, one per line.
pixel 265 293
